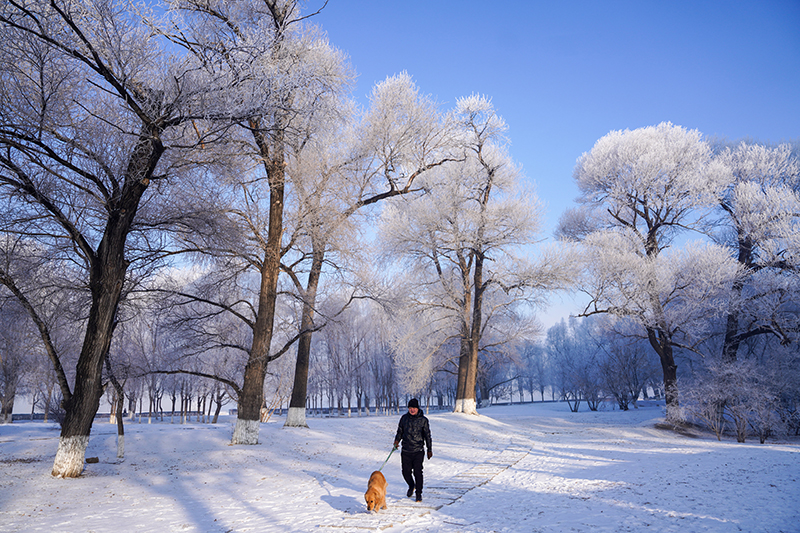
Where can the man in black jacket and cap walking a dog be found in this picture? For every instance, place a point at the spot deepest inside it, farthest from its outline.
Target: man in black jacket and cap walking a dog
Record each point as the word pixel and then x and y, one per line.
pixel 415 433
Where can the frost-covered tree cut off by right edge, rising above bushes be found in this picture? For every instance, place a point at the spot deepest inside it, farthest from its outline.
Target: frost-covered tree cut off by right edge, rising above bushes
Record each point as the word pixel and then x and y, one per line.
pixel 761 226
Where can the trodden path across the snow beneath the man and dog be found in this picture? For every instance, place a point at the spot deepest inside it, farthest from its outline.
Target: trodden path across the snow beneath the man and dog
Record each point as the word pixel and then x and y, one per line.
pixel 437 495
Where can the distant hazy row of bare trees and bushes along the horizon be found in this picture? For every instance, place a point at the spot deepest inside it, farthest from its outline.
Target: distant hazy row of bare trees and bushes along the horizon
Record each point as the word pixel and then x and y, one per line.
pixel 355 370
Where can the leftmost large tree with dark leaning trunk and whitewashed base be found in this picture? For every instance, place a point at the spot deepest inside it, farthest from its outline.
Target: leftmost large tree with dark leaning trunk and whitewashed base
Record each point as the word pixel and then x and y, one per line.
pixel 91 101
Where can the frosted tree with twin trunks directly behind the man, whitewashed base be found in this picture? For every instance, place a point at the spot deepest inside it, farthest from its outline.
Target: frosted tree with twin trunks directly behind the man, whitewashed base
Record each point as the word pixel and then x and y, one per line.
pixel 460 246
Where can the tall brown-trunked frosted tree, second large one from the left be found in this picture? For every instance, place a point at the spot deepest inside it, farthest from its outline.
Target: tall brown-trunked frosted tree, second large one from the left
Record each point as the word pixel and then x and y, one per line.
pixel 275 74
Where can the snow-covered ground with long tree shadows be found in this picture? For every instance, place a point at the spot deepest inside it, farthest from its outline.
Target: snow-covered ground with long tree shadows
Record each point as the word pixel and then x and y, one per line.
pixel 523 468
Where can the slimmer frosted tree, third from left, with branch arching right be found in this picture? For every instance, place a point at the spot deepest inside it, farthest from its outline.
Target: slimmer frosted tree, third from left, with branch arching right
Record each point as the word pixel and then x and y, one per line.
pixel 361 161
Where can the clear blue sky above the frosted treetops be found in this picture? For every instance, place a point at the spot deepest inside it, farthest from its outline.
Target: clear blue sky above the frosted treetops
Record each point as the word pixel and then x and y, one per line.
pixel 564 73
